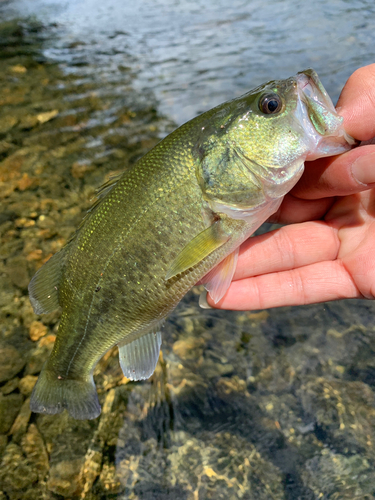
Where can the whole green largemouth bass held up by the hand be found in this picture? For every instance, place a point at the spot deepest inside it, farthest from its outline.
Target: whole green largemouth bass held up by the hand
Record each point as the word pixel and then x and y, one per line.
pixel 177 216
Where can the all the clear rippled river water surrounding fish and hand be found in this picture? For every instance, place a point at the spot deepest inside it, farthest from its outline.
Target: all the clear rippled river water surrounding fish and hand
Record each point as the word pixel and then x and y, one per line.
pixel 261 405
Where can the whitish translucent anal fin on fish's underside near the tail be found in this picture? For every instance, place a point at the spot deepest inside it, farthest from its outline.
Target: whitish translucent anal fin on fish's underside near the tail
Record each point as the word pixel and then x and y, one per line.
pixel 138 358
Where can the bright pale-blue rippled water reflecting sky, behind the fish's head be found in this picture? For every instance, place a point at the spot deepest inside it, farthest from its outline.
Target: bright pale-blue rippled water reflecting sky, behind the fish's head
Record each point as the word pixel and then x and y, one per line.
pixel 195 54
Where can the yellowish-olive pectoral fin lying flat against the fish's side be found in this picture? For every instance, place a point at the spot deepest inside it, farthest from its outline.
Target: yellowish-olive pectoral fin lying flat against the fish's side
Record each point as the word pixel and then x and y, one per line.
pixel 198 248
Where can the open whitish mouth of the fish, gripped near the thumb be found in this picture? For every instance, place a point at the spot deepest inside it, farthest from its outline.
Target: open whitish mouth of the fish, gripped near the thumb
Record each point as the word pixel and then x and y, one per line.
pixel 323 126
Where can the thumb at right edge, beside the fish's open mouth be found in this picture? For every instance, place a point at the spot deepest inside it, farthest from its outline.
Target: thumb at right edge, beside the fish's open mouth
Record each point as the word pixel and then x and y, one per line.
pixel 357 103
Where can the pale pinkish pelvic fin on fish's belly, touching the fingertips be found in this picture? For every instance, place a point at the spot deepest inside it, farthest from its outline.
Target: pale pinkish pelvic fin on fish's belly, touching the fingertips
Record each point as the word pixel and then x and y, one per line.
pixel 220 277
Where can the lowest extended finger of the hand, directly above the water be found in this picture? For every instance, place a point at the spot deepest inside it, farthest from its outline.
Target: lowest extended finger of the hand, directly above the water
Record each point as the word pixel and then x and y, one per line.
pixel 319 282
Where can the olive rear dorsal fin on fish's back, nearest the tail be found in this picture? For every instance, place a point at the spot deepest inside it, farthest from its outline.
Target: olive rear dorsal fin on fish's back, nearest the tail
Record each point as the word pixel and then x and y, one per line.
pixel 44 287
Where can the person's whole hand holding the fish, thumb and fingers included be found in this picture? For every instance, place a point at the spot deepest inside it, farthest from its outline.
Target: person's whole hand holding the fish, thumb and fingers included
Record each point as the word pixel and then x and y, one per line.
pixel 327 251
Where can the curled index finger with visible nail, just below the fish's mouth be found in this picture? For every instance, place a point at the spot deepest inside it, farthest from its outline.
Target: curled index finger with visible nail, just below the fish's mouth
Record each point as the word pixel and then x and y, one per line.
pixel 342 175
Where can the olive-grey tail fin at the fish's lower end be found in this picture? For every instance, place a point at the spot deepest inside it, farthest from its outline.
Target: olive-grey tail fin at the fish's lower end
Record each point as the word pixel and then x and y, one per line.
pixel 52 395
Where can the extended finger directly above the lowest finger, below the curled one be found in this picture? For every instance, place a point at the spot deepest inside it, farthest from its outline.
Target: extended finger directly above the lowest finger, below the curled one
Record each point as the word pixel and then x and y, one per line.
pixel 287 248
